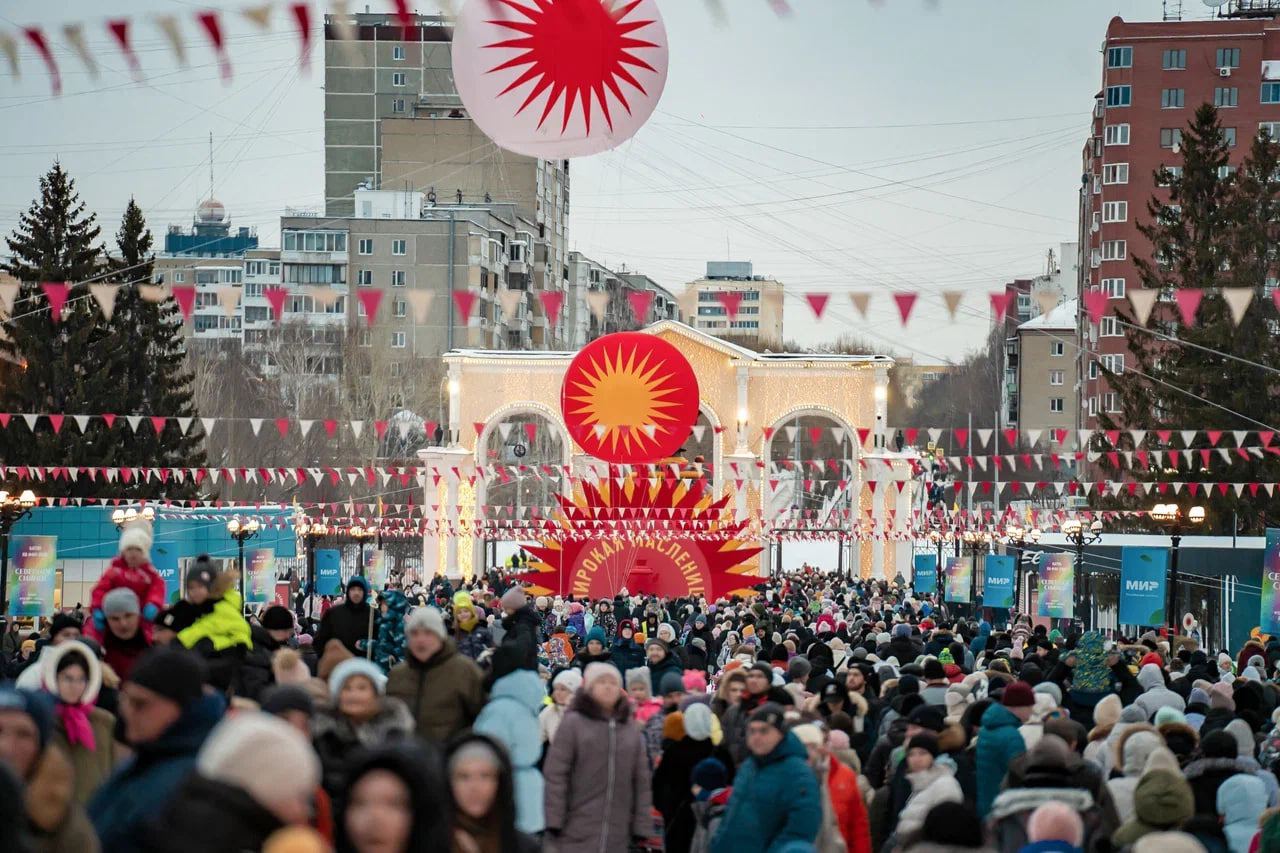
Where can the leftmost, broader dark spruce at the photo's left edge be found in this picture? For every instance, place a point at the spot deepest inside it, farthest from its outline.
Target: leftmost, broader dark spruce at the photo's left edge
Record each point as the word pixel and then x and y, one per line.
pixel 60 367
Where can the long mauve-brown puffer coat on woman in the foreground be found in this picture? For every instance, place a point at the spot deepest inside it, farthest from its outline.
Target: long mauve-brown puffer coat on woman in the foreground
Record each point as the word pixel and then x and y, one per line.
pixel 598 788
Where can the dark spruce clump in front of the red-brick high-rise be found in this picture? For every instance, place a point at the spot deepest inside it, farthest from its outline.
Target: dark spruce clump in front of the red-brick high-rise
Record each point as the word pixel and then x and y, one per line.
pixel 1217 229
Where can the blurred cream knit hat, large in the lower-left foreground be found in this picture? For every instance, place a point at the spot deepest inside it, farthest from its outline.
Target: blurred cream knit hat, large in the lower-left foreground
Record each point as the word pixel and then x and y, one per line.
pixel 262 755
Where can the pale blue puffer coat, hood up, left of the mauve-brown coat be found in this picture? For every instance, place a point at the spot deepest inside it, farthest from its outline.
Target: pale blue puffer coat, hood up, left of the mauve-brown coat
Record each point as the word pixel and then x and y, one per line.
pixel 511 719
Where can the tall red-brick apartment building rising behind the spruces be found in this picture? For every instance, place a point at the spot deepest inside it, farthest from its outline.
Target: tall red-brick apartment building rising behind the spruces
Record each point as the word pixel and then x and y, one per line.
pixel 1154 77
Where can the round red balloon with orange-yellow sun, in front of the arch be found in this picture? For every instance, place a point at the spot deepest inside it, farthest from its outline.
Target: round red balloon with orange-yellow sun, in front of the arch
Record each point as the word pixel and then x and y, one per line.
pixel 630 399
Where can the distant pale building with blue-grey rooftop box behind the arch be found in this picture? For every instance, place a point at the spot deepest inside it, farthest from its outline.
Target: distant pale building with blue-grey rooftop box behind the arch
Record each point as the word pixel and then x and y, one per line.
pixel 758 322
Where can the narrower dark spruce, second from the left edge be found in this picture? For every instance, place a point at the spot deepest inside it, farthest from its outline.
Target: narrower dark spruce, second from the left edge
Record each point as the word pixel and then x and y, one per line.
pixel 156 378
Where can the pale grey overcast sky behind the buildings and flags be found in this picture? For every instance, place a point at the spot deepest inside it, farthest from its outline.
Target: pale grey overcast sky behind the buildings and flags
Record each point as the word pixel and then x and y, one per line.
pixel 913 145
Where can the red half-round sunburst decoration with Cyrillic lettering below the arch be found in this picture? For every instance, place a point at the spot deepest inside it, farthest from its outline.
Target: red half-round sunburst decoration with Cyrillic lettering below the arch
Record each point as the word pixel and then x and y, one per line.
pixel 708 555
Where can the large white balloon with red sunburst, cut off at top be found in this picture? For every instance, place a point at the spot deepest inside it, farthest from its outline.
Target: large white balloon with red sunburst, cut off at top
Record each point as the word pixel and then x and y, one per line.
pixel 556 79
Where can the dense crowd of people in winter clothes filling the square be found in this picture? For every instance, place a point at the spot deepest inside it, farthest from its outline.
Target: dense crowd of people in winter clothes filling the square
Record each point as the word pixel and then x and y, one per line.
pixel 807 714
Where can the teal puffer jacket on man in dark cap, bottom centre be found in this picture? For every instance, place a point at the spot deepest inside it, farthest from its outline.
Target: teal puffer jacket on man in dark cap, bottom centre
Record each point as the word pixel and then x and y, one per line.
pixel 775 804
